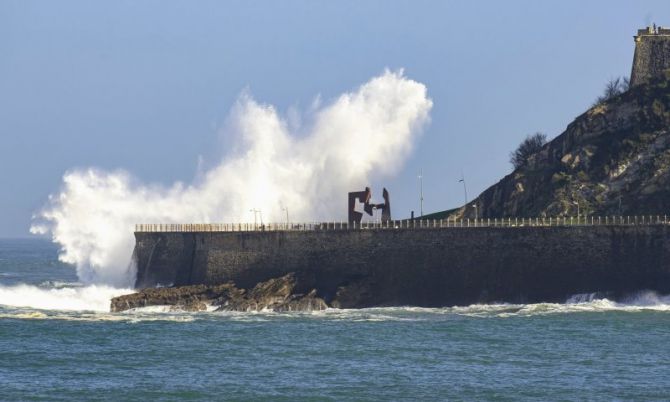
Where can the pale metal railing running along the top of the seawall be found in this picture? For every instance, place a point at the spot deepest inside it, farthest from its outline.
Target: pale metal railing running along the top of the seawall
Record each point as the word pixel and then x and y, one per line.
pixel 408 224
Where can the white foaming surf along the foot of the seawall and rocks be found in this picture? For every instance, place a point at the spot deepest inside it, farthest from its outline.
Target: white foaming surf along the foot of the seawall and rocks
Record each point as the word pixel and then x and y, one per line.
pixel 73 301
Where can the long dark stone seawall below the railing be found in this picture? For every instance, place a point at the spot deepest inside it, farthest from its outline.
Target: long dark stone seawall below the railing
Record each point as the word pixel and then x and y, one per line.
pixel 420 267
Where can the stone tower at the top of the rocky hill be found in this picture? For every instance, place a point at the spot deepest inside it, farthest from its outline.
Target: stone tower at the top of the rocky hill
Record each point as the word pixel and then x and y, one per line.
pixel 652 54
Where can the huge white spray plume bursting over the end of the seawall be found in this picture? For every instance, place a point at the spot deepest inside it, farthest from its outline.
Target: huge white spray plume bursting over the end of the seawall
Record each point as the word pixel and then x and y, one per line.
pixel 360 136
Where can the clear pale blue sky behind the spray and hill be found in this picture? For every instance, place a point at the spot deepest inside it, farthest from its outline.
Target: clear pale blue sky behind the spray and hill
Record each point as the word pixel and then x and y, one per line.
pixel 145 86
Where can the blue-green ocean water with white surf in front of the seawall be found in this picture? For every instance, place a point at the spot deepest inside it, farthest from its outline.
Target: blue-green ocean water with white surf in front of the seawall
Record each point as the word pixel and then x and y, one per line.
pixel 59 342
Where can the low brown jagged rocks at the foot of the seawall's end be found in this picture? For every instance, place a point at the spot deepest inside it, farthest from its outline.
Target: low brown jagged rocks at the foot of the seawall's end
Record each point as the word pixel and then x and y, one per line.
pixel 275 294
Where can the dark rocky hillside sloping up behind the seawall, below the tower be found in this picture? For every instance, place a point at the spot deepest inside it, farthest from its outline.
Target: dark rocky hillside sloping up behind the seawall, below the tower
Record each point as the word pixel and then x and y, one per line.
pixel 612 160
